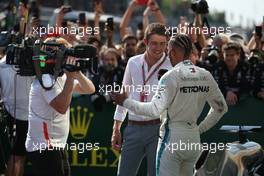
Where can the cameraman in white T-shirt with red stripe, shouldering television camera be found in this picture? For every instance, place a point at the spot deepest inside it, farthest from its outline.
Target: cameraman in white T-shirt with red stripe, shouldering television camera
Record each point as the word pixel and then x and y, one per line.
pixel 49 119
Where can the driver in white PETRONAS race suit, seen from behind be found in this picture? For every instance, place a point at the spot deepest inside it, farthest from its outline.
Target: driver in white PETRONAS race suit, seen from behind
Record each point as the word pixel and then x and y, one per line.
pixel 183 92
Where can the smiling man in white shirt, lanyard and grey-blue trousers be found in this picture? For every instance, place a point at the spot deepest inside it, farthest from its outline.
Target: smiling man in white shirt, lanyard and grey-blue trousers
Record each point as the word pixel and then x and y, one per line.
pixel 141 80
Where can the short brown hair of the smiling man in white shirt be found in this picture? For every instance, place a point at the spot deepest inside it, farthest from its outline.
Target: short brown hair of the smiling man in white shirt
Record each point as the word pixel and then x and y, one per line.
pixel 155 28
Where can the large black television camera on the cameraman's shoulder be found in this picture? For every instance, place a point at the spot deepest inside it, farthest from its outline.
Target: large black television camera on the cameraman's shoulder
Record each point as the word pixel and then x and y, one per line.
pixel 24 55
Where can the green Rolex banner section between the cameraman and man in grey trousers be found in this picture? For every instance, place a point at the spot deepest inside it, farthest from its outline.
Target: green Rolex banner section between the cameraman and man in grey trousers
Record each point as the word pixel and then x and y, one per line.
pixel 90 134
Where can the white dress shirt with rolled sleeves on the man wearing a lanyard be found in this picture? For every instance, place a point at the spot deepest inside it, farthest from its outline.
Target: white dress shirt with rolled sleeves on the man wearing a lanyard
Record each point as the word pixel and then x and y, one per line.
pixel 133 83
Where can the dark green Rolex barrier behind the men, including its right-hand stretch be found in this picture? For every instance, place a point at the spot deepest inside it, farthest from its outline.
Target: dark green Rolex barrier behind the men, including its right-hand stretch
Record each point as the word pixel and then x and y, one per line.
pixel 89 142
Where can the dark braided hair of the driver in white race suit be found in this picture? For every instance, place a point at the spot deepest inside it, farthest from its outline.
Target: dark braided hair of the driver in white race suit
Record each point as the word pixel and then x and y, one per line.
pixel 182 41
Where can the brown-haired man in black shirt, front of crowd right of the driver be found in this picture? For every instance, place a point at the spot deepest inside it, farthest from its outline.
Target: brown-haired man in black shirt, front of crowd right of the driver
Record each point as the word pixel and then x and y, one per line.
pixel 232 74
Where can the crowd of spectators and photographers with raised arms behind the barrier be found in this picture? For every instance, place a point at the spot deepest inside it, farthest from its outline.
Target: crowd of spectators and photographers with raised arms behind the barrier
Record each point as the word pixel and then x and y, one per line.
pixel 236 64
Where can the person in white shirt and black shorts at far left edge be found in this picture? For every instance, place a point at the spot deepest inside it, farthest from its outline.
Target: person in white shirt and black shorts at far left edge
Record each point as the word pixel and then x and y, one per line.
pixel 15 93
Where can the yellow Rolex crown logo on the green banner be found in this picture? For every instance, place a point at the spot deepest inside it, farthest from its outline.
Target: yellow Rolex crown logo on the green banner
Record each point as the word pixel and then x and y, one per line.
pixel 80 122
